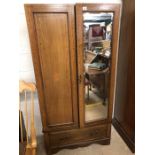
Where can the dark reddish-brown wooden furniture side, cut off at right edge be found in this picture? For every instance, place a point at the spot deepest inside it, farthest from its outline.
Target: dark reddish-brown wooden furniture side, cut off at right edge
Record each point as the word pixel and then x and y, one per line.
pixel 124 111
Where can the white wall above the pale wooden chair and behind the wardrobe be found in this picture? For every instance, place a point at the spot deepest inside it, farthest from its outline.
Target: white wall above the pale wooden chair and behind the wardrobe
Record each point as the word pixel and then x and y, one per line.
pixel 26 70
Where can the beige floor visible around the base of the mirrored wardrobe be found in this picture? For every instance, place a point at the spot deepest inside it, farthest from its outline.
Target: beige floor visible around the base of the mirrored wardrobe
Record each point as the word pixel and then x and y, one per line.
pixel 117 147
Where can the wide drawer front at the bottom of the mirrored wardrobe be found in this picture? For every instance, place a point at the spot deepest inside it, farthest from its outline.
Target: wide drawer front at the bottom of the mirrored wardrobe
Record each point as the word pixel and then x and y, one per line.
pixel 77 136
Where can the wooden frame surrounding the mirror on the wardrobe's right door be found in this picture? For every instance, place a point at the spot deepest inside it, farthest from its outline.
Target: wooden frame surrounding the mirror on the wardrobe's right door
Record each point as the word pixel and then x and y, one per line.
pixel 85 7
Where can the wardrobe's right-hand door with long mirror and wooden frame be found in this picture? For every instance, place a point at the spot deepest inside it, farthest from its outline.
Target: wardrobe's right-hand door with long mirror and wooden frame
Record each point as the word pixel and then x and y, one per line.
pixel 97 40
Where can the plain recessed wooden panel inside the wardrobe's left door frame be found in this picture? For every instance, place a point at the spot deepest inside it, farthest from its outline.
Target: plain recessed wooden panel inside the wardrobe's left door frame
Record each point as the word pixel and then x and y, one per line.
pixel 52 34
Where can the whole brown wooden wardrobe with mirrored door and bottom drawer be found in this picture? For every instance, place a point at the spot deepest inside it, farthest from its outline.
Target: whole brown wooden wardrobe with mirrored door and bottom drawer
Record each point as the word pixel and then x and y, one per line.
pixel 74 51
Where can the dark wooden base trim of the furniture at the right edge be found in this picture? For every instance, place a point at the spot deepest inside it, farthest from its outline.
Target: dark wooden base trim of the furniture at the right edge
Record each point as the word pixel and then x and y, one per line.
pixel 123 134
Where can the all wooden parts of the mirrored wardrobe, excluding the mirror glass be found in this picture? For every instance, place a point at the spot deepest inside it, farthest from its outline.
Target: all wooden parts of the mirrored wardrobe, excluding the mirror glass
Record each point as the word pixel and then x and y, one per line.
pixel 56 35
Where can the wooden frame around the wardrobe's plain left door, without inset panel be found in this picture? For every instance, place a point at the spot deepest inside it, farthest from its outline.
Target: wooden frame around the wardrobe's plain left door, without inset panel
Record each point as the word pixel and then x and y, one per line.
pixel 30 9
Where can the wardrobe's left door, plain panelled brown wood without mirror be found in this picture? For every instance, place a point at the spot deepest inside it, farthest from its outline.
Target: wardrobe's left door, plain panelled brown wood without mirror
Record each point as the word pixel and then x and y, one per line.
pixel 53 50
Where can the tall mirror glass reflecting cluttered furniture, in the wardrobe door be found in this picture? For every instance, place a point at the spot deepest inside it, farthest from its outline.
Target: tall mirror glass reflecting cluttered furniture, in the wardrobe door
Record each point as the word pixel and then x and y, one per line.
pixel 97 54
